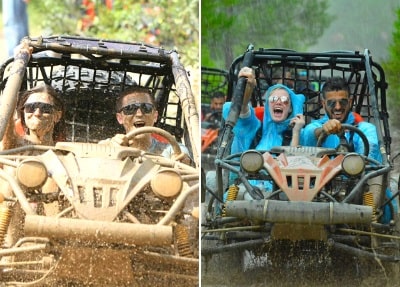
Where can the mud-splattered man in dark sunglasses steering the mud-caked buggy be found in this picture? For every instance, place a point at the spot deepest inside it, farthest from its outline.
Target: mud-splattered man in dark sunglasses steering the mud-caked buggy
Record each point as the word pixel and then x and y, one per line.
pixel 136 108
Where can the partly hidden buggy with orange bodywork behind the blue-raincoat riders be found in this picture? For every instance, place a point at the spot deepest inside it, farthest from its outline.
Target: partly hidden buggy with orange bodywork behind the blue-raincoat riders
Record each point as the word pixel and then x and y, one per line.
pixel 212 81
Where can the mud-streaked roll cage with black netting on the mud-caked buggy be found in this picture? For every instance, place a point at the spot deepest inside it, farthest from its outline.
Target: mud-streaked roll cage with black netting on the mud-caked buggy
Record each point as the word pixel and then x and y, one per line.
pixel 89 74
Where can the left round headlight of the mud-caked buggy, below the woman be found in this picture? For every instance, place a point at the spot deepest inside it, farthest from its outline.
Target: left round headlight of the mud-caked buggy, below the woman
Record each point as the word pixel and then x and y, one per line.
pixel 31 173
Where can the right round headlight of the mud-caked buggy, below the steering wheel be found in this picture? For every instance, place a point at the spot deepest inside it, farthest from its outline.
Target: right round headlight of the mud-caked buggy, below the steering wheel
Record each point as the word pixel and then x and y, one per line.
pixel 166 183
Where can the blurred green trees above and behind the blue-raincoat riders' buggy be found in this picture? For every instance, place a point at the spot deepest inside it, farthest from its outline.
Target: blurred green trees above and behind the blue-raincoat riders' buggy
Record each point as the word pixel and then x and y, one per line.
pixel 228 26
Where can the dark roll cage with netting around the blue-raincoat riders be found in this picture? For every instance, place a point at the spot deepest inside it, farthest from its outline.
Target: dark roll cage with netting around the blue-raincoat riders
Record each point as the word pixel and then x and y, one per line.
pixel 308 72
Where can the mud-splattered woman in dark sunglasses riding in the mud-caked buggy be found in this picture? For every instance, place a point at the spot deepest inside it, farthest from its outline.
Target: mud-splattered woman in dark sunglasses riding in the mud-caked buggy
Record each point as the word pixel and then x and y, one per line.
pixel 39 114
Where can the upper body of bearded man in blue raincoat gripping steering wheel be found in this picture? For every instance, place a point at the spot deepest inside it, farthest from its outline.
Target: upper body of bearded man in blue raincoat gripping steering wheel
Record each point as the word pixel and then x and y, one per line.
pixel 337 103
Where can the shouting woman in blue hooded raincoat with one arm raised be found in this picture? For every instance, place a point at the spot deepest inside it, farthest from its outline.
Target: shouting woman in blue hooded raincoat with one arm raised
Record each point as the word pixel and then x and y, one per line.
pixel 282 121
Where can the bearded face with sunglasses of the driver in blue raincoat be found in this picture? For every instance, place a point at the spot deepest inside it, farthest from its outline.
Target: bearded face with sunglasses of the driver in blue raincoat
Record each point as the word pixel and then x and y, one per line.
pixel 337 104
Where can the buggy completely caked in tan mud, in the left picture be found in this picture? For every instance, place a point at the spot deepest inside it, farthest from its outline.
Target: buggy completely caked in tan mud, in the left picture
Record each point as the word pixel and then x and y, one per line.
pixel 116 216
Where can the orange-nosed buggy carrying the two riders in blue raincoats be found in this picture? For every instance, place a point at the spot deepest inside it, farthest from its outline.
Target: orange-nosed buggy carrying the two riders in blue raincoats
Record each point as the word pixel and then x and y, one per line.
pixel 326 199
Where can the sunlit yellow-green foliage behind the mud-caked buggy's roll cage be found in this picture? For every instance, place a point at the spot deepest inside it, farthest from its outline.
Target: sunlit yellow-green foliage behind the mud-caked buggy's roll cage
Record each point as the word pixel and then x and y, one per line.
pixel 174 23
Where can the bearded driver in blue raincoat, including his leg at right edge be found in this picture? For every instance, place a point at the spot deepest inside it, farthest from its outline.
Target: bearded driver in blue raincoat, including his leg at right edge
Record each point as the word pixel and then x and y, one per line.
pixel 337 102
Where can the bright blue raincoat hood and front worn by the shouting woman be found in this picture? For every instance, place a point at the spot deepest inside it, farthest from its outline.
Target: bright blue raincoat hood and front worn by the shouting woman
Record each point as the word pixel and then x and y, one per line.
pixel 272 132
